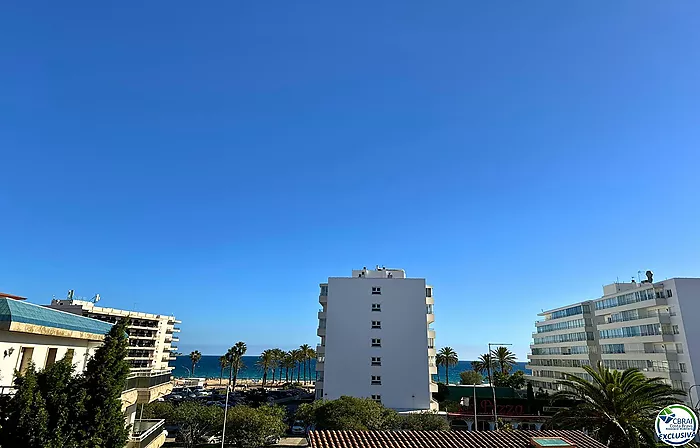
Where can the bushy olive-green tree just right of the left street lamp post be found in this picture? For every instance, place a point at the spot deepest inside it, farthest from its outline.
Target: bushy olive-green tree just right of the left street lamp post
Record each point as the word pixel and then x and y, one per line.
pixel 254 427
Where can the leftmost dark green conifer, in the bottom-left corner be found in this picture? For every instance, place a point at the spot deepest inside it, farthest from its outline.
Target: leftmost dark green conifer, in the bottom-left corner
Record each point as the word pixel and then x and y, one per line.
pixel 27 418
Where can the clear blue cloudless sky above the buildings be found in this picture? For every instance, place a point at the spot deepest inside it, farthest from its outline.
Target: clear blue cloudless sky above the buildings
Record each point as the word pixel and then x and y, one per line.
pixel 219 160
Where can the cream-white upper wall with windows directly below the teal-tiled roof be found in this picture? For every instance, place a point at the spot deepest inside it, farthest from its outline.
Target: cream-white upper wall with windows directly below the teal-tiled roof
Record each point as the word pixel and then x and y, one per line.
pixel 41 345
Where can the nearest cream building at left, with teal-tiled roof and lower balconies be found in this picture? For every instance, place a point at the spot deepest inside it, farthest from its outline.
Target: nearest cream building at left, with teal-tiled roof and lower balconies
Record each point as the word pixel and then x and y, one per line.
pixel 38 334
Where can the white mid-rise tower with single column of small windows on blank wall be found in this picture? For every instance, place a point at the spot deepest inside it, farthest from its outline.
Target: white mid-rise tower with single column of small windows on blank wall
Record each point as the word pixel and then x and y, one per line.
pixel 376 339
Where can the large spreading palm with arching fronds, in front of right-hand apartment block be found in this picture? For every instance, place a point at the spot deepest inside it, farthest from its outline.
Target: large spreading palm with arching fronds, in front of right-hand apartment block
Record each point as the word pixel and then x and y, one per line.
pixel 618 408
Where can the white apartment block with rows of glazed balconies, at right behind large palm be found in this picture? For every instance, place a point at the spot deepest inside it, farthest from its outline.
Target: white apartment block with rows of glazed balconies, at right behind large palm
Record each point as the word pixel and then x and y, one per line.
pixel 648 325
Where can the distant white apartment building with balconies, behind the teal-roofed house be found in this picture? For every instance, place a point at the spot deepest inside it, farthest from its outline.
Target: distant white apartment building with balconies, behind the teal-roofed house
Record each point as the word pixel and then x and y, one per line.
pixel 152 337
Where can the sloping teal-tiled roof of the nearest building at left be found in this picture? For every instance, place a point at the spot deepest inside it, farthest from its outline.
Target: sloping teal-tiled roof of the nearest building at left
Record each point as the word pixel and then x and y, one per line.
pixel 15 311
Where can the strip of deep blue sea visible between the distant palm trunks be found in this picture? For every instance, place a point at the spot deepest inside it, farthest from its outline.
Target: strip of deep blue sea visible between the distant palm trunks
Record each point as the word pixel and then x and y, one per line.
pixel 208 367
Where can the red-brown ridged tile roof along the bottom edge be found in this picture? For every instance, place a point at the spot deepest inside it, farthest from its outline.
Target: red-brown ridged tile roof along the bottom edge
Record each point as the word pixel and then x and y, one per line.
pixel 442 439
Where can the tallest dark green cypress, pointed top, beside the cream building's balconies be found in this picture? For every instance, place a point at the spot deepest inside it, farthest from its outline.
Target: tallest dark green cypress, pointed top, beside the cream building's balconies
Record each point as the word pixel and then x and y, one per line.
pixel 104 380
